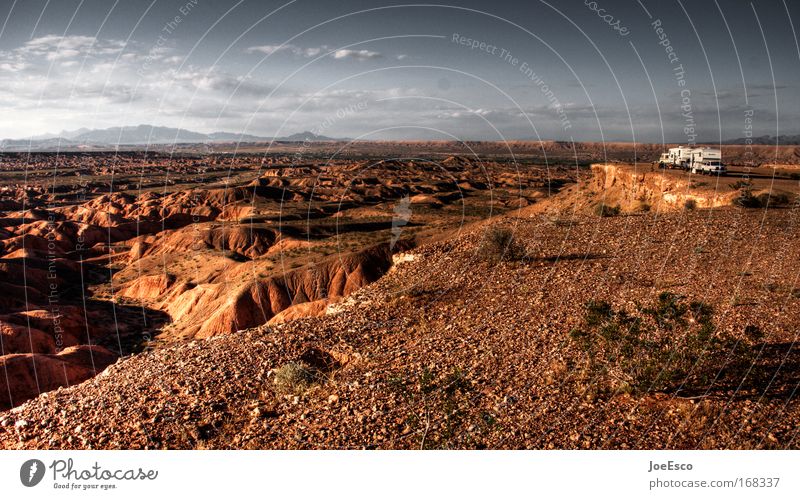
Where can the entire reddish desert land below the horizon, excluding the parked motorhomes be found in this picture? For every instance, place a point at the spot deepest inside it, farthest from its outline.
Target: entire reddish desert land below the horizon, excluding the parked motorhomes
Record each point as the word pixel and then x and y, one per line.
pixel 399 295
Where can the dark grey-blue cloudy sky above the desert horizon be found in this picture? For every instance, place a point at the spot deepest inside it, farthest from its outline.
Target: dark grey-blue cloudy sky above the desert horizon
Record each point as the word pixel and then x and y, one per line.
pixel 672 71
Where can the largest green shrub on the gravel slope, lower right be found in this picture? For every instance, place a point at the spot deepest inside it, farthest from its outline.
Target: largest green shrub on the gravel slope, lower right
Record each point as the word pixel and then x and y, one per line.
pixel 664 348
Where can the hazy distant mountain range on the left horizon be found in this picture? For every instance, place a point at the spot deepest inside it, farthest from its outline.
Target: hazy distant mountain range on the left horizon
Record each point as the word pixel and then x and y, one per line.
pixel 139 136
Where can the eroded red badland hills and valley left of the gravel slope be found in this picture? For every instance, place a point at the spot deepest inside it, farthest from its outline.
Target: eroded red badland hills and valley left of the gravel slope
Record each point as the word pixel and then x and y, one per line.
pixel 104 254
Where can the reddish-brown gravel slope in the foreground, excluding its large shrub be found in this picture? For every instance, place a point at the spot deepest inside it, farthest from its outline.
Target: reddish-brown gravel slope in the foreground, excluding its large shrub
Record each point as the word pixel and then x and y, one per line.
pixel 451 349
